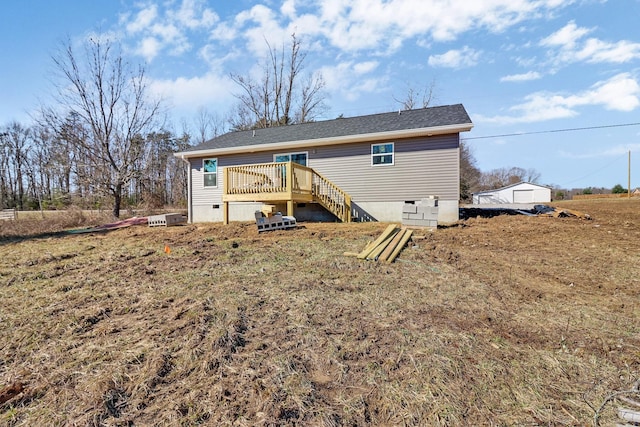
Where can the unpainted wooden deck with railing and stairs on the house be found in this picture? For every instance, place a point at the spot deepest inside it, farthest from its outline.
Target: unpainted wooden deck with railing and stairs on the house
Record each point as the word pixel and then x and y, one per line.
pixel 283 182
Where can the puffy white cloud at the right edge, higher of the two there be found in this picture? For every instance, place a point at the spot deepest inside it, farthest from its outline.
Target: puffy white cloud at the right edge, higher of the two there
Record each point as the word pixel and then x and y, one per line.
pixel 569 46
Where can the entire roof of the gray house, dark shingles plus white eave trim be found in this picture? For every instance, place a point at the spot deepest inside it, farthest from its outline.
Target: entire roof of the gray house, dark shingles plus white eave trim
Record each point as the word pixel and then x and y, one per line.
pixel 407 123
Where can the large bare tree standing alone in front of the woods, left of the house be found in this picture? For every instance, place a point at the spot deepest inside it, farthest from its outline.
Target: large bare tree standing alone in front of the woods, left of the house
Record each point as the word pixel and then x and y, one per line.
pixel 111 103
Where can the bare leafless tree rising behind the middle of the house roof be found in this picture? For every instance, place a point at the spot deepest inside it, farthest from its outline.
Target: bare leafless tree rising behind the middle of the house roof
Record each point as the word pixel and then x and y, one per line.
pixel 283 95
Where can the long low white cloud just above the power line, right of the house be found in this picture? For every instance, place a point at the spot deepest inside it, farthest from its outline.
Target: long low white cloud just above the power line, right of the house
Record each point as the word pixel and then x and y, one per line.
pixel 620 93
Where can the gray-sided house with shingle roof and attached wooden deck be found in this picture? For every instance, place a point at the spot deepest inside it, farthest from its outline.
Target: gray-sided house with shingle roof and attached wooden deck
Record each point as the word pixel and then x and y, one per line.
pixel 351 169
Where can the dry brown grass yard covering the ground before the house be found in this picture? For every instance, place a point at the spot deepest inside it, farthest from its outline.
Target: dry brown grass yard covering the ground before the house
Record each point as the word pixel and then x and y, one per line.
pixel 512 320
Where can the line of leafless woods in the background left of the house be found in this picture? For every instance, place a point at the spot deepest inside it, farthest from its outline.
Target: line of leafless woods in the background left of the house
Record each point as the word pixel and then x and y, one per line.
pixel 42 169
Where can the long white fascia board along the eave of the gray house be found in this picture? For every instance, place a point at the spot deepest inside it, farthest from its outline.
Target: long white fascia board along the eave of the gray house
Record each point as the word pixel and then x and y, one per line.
pixel 349 139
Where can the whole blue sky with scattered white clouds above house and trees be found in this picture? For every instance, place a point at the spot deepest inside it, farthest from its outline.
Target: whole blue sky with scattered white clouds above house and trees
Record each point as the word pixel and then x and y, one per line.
pixel 550 85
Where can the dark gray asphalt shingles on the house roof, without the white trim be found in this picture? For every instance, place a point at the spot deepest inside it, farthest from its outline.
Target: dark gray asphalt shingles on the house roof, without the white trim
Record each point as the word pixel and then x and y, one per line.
pixel 445 115
